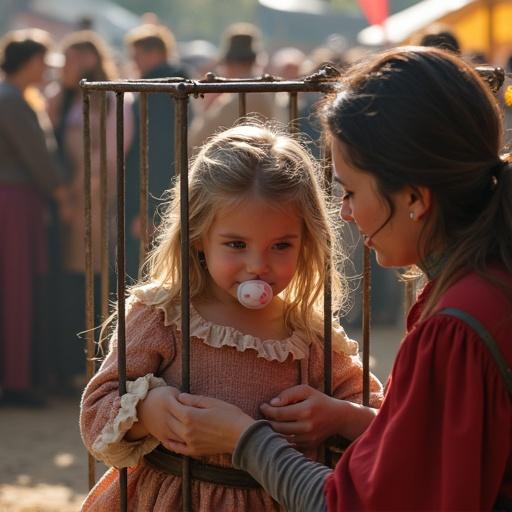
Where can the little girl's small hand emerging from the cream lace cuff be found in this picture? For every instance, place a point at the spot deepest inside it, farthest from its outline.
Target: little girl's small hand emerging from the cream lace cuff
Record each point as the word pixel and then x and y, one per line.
pixel 155 415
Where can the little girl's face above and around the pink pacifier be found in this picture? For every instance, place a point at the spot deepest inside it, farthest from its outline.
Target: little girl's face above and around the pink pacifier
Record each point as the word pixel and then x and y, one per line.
pixel 252 241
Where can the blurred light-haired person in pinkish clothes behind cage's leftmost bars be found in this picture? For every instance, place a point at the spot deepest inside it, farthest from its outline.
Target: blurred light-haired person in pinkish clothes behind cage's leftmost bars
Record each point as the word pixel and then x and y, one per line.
pixel 86 56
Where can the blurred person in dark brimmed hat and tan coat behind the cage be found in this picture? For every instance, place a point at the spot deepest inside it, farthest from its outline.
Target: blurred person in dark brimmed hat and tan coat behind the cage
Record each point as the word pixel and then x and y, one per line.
pixel 242 56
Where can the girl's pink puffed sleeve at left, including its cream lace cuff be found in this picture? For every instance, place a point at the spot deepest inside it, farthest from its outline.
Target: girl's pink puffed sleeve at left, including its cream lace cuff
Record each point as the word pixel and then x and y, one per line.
pixel 104 416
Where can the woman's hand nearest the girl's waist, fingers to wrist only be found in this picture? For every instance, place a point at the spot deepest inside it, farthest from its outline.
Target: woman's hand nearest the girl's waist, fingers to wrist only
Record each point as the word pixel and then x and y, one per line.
pixel 305 415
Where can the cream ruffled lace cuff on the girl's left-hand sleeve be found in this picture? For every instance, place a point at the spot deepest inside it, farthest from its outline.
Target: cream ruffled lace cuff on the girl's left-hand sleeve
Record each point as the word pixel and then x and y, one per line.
pixel 109 446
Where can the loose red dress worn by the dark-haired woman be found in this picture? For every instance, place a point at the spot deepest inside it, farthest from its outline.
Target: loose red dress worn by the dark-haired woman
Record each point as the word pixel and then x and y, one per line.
pixel 443 437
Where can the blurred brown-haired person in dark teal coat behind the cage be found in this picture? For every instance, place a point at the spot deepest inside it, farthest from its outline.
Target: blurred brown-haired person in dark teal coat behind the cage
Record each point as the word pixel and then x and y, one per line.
pixel 153 50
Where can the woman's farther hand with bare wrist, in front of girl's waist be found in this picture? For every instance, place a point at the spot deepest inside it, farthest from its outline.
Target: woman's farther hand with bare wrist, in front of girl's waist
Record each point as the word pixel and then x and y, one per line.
pixel 308 417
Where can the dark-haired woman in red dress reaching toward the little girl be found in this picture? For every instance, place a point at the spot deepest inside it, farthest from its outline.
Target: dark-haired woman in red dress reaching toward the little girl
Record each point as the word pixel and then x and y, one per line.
pixel 416 138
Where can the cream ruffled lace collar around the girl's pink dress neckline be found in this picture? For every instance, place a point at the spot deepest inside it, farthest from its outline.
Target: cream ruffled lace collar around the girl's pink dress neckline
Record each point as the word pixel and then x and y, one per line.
pixel 218 336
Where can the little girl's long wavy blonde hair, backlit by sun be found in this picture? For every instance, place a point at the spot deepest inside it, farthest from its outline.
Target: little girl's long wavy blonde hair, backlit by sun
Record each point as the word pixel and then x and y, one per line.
pixel 246 161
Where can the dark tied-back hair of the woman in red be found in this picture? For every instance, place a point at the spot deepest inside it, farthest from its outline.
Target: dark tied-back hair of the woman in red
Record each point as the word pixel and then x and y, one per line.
pixel 417 116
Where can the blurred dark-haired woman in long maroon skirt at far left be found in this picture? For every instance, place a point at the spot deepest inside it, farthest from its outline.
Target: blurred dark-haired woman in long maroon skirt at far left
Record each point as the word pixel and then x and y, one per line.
pixel 29 181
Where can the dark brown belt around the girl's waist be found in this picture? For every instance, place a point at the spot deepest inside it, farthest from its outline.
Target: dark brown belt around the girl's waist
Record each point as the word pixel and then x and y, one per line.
pixel 172 463
